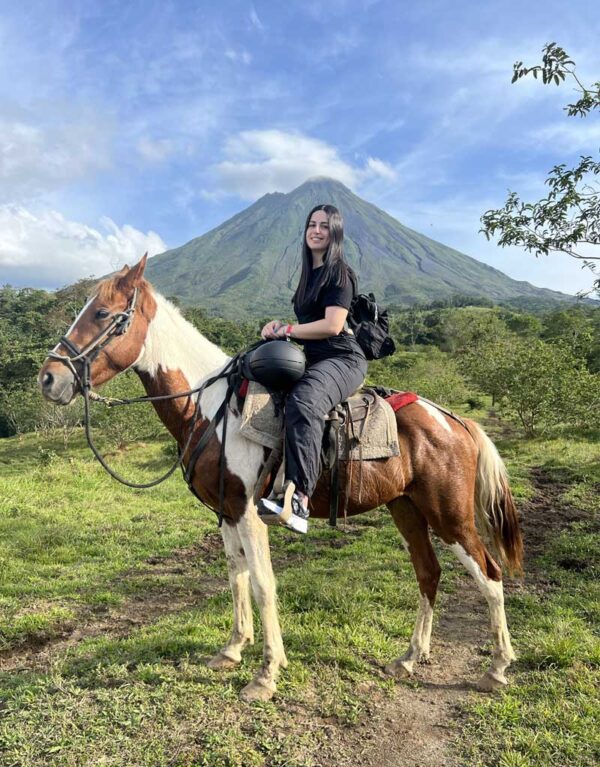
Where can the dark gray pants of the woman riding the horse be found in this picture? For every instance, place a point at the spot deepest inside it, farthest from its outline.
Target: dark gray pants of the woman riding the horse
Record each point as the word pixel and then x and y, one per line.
pixel 325 384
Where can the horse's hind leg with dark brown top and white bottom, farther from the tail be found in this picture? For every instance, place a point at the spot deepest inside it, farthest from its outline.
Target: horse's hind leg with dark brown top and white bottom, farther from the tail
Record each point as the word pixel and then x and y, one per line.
pixel 414 530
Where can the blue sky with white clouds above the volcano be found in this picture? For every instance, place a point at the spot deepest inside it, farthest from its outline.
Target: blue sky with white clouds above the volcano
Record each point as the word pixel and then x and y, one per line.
pixel 139 125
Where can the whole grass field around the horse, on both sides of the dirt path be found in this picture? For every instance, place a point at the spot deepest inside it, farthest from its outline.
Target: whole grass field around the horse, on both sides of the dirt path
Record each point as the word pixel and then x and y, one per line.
pixel 112 599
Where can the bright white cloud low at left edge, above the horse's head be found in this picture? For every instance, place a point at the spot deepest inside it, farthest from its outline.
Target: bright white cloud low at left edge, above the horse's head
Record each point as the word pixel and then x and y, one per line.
pixel 45 249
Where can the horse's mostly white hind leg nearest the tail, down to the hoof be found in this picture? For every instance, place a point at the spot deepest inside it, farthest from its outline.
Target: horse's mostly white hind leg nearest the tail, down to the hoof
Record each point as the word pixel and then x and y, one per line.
pixel 487 575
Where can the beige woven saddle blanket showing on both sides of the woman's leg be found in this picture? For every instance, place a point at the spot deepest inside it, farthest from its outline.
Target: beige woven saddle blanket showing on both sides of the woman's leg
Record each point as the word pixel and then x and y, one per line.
pixel 377 438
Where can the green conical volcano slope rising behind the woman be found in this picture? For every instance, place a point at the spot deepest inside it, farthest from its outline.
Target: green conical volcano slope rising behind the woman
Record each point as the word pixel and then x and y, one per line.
pixel 249 265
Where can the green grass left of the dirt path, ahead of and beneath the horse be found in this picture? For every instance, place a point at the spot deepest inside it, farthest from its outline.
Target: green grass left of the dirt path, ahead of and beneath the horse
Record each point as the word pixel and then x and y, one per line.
pixel 75 549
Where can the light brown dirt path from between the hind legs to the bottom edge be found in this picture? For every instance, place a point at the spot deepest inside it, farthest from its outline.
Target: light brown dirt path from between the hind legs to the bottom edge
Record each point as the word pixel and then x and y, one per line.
pixel 415 726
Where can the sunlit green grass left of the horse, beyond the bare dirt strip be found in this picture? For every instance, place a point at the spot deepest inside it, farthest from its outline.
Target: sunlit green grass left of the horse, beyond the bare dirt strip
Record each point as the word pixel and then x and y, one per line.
pixel 71 538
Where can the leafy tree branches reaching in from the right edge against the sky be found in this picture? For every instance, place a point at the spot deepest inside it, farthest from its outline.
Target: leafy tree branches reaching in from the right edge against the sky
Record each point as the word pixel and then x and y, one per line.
pixel 569 216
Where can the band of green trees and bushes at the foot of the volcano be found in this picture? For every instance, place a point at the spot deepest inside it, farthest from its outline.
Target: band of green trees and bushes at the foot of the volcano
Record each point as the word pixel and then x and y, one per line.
pixel 538 371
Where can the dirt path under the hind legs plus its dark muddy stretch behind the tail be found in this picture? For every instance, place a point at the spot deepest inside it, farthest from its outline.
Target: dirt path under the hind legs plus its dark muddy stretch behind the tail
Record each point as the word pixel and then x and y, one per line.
pixel 417 725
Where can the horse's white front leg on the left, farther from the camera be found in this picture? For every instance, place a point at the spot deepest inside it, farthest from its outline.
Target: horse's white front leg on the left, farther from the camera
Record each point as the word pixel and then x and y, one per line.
pixel 239 580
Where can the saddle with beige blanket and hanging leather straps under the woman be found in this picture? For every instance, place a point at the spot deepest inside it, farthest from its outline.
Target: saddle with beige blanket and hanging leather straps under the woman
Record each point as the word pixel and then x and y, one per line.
pixel 363 427
